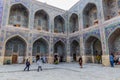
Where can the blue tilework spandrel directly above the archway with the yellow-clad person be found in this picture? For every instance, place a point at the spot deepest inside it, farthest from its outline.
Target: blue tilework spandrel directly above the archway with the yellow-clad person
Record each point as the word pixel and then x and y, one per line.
pixel 95 33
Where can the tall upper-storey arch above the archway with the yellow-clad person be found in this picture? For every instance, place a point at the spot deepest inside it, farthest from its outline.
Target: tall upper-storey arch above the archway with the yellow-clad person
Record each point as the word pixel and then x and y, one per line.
pixel 90 15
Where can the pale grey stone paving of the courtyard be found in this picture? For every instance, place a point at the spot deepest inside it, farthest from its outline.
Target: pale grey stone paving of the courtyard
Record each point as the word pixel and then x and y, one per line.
pixel 66 71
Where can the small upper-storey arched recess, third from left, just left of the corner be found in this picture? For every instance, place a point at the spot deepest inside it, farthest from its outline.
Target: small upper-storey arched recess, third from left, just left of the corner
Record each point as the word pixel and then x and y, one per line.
pixel 59 24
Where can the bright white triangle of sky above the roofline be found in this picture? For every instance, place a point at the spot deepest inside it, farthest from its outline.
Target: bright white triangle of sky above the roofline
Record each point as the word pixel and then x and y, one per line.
pixel 62 4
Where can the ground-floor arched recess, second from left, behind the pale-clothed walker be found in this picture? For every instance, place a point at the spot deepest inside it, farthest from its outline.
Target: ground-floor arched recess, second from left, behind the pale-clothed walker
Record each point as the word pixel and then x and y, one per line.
pixel 40 48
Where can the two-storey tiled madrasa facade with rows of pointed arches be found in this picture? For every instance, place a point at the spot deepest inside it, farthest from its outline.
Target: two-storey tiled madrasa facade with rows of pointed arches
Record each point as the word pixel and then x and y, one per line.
pixel 29 29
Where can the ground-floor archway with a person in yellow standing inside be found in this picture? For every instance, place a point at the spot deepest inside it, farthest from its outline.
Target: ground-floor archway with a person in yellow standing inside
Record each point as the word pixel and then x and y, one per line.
pixel 93 50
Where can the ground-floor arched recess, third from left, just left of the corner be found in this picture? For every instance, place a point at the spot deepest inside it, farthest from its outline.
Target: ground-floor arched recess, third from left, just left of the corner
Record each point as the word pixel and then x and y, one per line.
pixel 59 48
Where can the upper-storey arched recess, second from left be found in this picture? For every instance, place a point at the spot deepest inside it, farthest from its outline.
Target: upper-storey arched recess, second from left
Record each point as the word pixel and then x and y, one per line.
pixel 41 20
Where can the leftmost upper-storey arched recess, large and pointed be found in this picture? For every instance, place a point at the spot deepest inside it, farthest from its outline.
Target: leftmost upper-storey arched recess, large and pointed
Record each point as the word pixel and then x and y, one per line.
pixel 19 16
